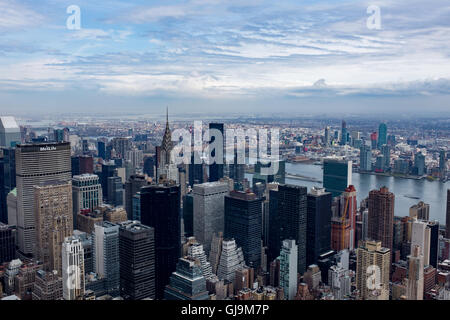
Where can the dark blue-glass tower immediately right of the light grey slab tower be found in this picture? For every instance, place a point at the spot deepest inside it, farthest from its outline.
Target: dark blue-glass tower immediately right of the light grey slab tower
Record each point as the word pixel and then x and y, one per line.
pixel 243 222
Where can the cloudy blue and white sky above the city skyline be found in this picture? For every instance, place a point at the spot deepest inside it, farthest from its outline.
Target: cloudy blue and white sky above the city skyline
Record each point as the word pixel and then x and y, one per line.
pixel 217 56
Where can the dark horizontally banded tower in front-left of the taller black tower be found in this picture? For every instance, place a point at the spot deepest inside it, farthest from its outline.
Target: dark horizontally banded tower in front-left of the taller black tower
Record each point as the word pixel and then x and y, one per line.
pixel 137 260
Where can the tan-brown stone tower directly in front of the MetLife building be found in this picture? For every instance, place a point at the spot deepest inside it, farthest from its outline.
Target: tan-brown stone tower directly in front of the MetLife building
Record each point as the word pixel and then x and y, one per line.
pixel 54 221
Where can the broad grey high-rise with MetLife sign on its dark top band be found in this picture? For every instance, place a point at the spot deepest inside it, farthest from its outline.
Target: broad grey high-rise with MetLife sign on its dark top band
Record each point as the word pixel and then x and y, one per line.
pixel 37 164
